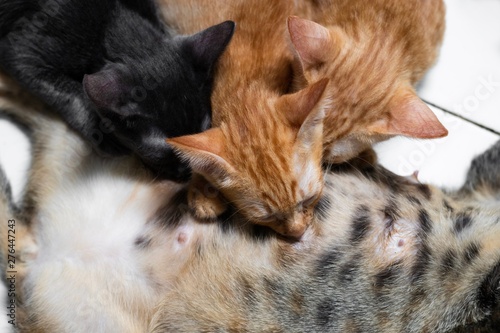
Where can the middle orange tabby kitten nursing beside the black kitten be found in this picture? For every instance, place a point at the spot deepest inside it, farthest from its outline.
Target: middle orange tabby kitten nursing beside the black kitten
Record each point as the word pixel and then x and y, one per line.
pixel 259 153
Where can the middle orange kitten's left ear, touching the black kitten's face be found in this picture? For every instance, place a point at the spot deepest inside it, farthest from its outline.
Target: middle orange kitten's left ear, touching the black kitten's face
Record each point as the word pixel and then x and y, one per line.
pixel 204 152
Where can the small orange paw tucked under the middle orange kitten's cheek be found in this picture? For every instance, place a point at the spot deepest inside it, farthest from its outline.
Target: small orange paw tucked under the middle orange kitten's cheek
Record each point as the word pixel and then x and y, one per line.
pixel 205 201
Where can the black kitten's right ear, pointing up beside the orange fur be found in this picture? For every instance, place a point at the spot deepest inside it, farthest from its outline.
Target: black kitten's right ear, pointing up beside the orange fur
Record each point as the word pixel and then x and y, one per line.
pixel 206 46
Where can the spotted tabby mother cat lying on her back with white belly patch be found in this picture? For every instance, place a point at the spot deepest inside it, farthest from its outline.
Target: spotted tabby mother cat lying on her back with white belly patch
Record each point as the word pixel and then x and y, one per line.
pixel 103 247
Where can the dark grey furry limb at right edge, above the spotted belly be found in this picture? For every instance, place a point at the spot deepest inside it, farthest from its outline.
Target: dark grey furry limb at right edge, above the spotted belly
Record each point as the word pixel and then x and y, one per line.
pixel 483 177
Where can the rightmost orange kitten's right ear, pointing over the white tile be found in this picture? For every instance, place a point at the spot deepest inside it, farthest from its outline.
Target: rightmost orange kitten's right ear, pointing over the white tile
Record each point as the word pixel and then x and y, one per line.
pixel 410 116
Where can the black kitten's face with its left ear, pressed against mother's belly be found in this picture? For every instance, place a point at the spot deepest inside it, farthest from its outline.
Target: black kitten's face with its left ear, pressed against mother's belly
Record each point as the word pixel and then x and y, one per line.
pixel 150 101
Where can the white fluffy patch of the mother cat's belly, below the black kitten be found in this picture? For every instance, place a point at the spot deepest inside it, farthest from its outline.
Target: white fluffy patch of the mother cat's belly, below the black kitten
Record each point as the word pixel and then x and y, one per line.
pixel 93 258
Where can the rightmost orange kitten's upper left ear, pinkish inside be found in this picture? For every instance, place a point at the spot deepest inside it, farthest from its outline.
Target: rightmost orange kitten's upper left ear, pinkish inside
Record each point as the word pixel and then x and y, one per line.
pixel 313 43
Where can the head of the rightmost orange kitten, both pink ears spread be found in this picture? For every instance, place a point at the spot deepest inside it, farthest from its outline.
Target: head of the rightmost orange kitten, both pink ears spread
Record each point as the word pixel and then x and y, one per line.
pixel 371 73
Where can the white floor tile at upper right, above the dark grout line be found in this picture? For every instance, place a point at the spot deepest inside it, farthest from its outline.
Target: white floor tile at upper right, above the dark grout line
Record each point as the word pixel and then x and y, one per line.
pixel 467 77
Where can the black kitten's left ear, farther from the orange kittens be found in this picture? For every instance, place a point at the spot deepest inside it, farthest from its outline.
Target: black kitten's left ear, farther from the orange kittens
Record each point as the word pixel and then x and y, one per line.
pixel 104 89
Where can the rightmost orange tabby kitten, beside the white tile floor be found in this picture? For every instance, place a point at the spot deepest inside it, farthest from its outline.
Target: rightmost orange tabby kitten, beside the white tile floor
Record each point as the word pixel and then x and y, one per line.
pixel 373 53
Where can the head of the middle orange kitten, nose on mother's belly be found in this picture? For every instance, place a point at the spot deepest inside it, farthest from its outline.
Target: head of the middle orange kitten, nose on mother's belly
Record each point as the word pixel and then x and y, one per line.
pixel 267 165
